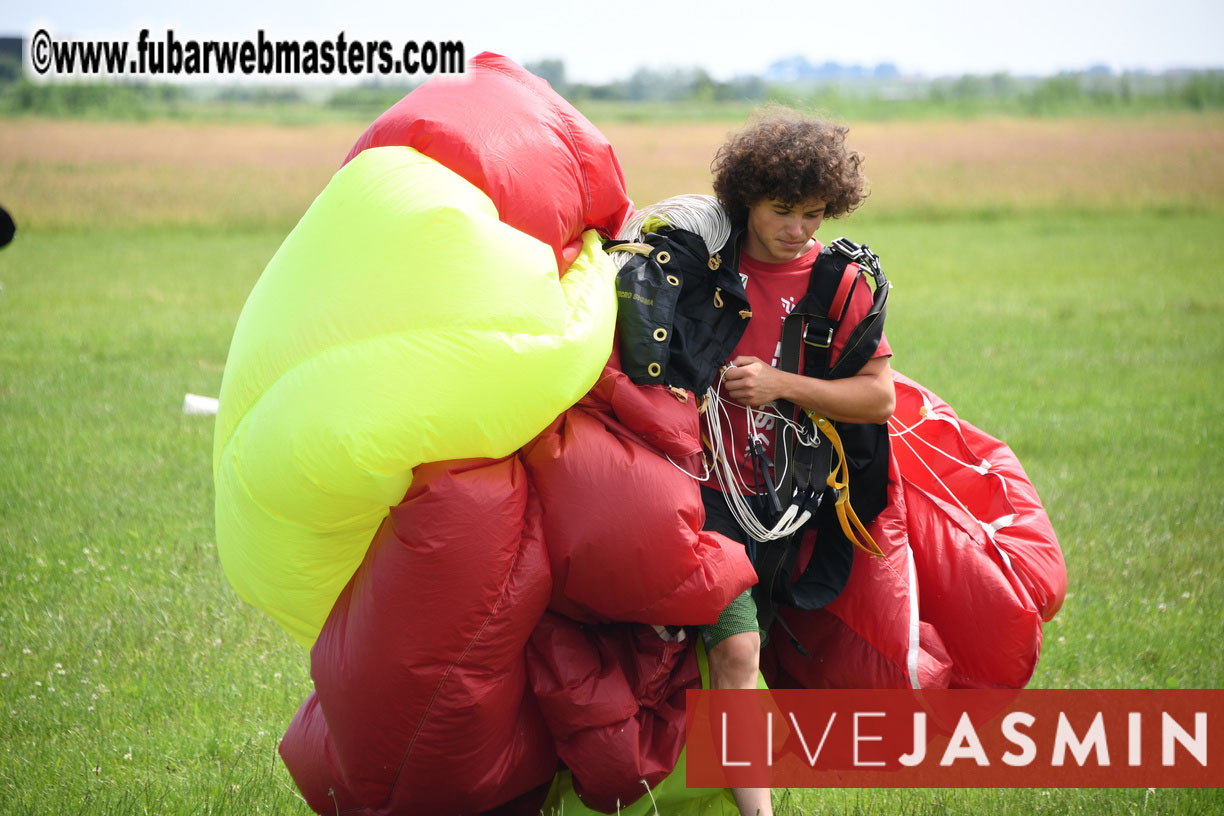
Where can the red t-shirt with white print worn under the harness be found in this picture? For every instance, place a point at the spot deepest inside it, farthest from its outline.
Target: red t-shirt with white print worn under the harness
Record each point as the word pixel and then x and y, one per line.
pixel 774 289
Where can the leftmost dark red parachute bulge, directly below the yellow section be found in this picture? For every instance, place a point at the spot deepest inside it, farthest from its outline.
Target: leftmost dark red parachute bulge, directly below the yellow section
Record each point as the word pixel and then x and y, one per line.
pixel 420 698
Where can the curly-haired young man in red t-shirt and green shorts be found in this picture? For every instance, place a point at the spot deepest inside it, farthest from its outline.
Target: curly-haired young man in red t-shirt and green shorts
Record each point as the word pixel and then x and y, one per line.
pixel 779 180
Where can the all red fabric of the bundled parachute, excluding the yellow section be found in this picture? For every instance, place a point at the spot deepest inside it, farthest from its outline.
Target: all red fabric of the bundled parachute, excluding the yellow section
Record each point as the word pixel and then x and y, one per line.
pixel 496 627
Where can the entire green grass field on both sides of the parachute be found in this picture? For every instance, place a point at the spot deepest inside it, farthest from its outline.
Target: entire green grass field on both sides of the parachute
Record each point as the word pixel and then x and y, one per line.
pixel 1090 337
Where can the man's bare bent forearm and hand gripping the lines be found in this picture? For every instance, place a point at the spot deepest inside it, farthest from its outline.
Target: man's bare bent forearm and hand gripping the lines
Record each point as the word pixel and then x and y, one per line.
pixel 867 397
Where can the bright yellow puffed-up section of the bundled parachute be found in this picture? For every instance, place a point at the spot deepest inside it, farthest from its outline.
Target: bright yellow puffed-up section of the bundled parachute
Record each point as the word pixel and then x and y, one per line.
pixel 400 324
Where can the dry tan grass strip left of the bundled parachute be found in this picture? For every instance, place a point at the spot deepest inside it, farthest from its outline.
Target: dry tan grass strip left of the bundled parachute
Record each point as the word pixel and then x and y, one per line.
pixel 57 174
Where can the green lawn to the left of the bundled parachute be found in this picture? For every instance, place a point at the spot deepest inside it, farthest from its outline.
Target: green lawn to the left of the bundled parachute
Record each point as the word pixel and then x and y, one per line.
pixel 134 680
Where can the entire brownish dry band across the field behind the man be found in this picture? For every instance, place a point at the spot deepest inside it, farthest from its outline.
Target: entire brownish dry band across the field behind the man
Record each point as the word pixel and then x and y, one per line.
pixel 63 174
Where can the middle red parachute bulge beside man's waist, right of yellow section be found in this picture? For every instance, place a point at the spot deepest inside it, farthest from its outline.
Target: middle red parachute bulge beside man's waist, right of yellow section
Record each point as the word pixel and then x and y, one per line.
pixel 637 506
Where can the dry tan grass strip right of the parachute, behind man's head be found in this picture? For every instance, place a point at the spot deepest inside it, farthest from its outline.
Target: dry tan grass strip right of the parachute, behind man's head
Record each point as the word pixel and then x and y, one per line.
pixel 998 165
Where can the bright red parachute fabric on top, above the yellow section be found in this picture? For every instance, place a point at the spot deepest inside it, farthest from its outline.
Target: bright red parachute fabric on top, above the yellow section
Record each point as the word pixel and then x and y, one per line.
pixel 549 172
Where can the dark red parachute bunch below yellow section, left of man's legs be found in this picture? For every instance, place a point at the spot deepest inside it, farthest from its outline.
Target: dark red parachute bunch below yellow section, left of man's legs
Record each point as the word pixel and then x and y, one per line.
pixel 444 687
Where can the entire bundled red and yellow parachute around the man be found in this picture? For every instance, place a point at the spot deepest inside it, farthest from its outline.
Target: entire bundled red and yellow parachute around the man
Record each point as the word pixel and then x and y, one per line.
pixel 431 470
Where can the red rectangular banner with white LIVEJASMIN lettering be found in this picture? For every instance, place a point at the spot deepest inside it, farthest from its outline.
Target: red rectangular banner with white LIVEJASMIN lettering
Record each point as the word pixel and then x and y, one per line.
pixel 955 738
